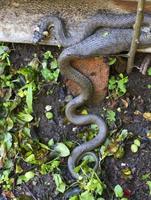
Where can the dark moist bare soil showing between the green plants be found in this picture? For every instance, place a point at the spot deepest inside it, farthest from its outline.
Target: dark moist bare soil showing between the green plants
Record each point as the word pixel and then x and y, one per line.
pixel 138 97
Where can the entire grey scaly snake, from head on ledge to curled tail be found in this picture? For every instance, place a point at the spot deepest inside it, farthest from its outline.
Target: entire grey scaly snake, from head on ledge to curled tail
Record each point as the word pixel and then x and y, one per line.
pixel 102 34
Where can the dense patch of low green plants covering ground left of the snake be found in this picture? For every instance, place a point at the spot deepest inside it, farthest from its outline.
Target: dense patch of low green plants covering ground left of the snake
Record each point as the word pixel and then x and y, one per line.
pixel 18 88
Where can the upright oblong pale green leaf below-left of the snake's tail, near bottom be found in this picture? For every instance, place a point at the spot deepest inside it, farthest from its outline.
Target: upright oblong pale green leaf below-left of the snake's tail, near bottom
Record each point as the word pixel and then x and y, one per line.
pixel 59 183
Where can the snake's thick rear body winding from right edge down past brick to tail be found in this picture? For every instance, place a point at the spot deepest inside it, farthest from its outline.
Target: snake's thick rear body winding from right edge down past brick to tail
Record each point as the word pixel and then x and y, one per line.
pixel 103 42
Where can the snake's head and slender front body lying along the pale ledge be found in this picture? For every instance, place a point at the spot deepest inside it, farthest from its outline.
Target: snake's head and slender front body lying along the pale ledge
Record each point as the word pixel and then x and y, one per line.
pixel 86 27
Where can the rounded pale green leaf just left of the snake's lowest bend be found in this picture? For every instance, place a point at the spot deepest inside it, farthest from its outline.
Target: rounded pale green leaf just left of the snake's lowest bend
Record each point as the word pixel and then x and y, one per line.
pixel 62 149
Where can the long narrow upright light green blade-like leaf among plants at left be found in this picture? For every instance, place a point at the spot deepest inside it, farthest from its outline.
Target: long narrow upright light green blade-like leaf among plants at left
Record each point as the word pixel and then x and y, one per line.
pixel 29 98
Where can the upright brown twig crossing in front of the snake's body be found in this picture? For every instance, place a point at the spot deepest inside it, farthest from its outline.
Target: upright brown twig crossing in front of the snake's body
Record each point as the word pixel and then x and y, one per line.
pixel 136 35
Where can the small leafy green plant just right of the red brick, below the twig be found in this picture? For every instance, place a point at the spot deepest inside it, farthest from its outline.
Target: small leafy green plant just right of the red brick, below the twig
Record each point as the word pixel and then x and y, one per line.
pixel 118 85
